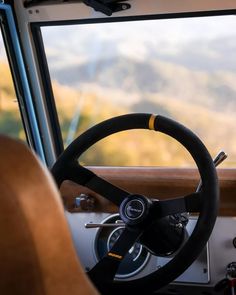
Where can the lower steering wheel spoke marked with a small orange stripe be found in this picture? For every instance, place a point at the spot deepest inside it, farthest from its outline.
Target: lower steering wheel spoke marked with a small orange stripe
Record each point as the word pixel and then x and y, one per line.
pixel 106 268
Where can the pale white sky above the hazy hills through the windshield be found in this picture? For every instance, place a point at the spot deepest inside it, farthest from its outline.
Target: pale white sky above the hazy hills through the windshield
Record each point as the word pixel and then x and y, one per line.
pixel 134 39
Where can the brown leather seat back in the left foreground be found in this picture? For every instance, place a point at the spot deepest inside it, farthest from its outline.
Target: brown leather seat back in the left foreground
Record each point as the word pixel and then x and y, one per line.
pixel 36 250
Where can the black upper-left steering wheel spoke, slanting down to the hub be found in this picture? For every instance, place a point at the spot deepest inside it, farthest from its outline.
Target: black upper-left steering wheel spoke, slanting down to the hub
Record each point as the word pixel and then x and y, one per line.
pixel 86 177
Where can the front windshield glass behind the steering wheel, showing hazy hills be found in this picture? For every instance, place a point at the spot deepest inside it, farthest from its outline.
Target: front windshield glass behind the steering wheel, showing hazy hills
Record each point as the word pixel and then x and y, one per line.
pixel 184 69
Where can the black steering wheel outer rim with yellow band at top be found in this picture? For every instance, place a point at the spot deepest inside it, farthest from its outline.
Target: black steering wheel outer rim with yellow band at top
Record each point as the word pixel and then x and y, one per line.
pixel 209 195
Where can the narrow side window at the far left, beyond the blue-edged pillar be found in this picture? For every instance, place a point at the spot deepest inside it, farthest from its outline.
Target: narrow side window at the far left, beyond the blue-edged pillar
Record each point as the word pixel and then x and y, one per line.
pixel 10 118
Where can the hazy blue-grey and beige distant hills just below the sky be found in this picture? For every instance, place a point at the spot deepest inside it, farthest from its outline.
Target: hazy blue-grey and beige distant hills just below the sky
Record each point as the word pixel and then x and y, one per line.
pixel 214 90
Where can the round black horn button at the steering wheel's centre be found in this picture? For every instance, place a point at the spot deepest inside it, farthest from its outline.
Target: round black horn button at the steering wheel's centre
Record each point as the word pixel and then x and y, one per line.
pixel 134 209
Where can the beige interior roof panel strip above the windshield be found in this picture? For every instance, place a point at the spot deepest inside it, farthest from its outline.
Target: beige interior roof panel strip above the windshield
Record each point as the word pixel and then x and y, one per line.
pixel 79 11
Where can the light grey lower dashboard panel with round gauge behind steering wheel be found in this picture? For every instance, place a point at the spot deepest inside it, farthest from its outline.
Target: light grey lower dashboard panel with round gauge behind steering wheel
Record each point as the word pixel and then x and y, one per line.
pixel 201 277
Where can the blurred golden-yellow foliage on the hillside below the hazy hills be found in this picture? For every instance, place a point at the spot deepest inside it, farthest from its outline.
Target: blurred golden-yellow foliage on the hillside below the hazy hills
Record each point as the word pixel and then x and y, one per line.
pixel 142 148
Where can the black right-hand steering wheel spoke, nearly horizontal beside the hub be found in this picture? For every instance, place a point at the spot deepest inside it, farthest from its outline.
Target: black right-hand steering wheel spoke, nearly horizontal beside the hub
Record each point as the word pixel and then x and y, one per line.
pixel 189 203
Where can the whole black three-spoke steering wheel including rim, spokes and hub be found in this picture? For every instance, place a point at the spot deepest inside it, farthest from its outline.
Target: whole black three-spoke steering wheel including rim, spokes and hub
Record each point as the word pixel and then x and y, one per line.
pixel 138 221
